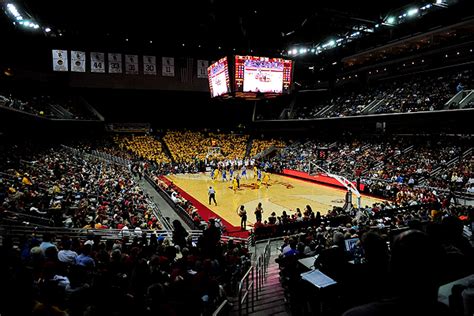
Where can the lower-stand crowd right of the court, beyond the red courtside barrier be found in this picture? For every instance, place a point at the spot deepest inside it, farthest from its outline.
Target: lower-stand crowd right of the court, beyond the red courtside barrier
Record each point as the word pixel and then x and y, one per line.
pixel 385 166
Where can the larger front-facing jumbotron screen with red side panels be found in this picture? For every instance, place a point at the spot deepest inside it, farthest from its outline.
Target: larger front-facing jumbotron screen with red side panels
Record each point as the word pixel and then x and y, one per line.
pixel 262 74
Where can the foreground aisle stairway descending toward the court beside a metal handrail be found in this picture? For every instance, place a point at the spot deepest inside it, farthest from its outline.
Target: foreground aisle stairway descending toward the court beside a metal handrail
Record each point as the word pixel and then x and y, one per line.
pixel 271 300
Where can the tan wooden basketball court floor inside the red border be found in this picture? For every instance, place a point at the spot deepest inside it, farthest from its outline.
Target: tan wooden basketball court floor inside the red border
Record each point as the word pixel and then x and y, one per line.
pixel 283 194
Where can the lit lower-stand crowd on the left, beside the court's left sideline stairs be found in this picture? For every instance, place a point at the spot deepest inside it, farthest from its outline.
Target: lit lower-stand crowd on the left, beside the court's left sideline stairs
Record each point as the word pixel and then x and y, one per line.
pixel 75 191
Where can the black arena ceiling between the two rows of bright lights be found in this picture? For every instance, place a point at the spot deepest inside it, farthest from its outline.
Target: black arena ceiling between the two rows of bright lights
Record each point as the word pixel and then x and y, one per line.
pixel 264 25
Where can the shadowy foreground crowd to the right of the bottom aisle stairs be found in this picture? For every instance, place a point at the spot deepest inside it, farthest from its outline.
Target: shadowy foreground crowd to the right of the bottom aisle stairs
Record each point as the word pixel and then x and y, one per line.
pixel 368 272
